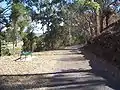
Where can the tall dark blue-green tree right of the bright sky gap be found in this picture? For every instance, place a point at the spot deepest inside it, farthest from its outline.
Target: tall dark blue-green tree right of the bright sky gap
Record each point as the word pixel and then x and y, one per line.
pixel 50 17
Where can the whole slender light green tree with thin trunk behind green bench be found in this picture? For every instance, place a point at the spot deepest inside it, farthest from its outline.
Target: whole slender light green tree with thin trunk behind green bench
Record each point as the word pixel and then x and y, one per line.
pixel 19 19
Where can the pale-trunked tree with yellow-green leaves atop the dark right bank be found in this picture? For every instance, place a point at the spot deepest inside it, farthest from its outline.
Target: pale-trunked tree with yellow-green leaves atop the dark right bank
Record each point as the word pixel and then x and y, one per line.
pixel 102 9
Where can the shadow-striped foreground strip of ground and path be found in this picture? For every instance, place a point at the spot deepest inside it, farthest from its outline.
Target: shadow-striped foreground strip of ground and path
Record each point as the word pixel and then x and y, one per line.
pixel 66 79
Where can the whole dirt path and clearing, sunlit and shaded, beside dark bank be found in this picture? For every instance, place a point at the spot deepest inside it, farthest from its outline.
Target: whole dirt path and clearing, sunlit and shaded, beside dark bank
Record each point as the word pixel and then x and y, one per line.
pixel 53 70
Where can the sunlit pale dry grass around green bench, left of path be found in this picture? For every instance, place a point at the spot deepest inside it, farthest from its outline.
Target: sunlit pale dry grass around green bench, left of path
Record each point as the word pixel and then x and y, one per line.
pixel 8 65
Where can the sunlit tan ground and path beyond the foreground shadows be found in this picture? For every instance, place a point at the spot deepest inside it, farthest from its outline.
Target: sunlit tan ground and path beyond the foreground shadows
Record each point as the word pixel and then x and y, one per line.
pixel 42 62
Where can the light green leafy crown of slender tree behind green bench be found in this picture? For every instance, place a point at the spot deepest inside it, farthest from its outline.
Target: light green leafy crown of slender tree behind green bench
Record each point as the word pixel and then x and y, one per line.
pixel 20 15
